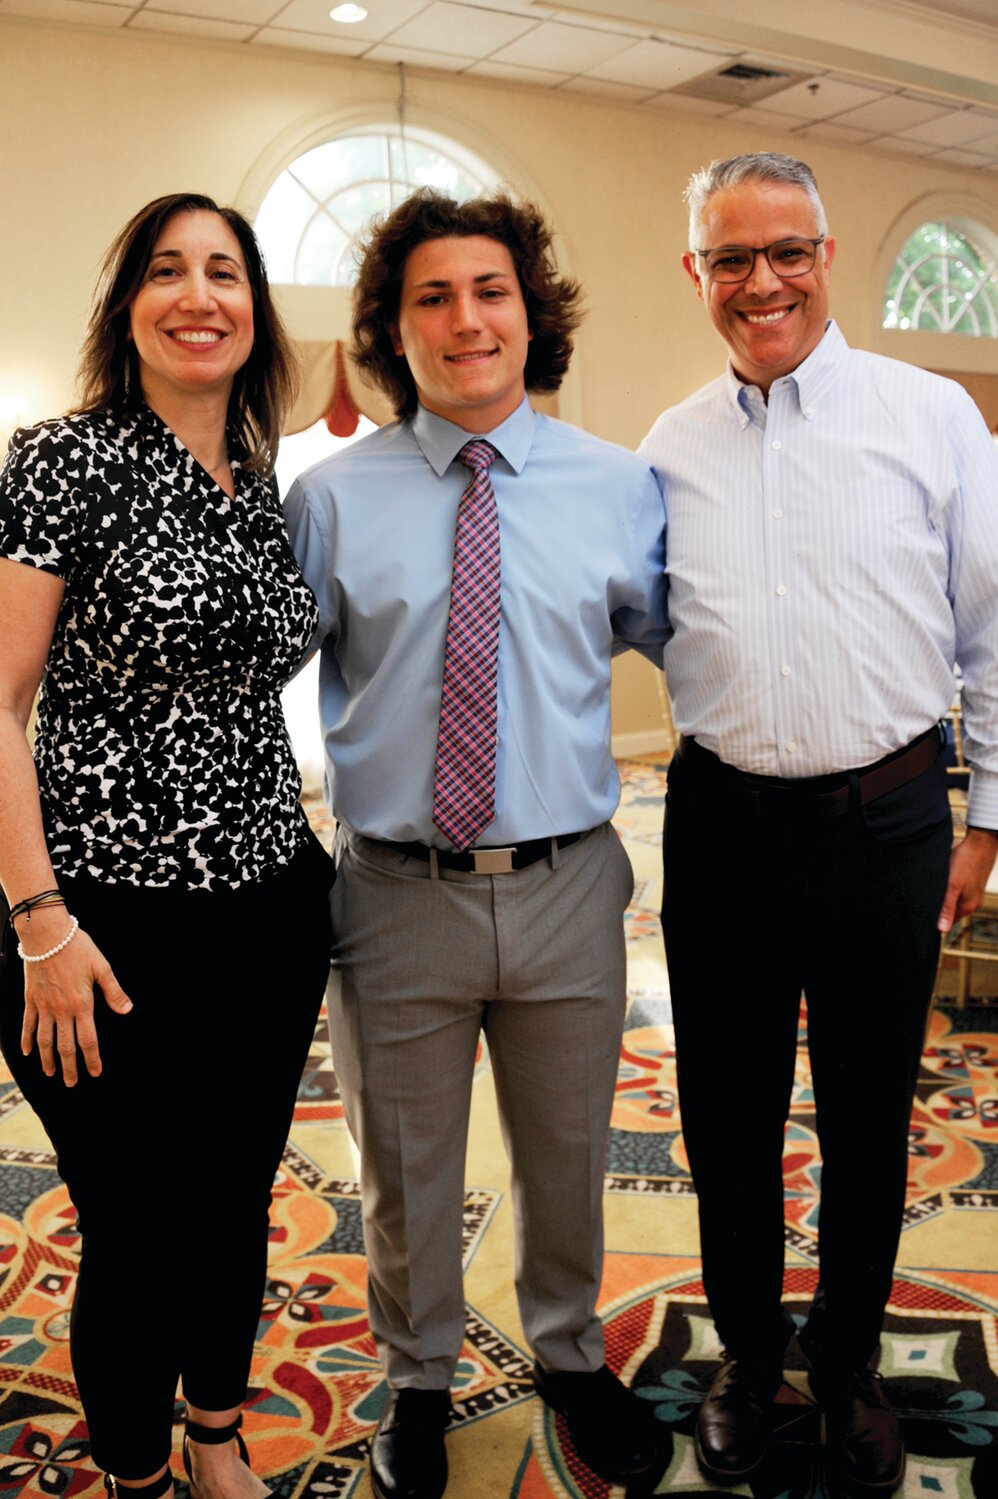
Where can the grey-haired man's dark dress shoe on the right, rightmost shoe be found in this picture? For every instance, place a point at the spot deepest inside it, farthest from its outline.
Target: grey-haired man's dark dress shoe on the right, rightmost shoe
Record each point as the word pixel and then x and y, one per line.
pixel 865 1447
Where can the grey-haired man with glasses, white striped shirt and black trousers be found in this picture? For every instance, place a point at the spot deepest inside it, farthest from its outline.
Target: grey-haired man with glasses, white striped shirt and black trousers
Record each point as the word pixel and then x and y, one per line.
pixel 832 525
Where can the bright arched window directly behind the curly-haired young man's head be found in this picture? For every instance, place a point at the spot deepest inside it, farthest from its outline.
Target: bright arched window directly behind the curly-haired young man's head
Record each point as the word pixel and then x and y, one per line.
pixel 312 217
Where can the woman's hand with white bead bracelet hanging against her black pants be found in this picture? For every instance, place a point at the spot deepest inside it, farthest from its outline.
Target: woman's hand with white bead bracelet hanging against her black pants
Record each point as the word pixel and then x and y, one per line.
pixel 59 996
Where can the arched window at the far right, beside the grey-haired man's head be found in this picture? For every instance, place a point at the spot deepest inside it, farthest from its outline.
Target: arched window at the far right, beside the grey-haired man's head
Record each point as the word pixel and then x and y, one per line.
pixel 945 281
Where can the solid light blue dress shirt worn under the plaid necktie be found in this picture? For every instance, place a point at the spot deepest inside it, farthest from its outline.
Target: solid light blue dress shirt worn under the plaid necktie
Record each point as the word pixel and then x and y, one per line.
pixel 581 528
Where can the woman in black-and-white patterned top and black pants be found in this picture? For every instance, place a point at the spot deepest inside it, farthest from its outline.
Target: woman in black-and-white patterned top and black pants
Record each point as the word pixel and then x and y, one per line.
pixel 167 900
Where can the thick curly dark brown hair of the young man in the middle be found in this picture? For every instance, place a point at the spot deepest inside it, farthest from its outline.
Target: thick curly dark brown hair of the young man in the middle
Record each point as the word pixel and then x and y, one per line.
pixel 552 302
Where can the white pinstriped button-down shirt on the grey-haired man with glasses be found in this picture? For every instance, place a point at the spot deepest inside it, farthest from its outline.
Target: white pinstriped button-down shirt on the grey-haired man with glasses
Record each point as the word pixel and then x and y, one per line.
pixel 831 555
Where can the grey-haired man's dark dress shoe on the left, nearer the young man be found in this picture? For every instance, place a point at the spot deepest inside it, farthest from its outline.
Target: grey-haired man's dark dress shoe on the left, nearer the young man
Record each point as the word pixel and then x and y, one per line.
pixel 735 1420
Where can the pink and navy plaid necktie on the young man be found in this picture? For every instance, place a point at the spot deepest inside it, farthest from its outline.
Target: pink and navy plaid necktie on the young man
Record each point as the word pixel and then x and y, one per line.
pixel 465 777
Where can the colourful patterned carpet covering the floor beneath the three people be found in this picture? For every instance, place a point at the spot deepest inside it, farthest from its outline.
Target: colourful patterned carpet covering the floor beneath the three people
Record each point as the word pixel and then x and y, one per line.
pixel 317 1389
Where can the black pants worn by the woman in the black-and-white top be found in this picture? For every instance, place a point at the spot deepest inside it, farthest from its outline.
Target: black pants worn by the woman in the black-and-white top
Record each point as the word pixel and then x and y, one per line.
pixel 170 1155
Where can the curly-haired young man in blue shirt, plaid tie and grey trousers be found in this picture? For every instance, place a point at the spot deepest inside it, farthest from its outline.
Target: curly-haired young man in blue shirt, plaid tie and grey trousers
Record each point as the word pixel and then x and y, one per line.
pixel 465 689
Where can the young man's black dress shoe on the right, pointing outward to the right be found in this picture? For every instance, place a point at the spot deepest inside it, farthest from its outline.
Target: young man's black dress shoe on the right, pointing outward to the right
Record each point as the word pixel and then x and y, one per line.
pixel 612 1431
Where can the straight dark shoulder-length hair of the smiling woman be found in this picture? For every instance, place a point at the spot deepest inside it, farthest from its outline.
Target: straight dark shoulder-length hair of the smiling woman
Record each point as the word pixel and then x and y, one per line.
pixel 263 390
